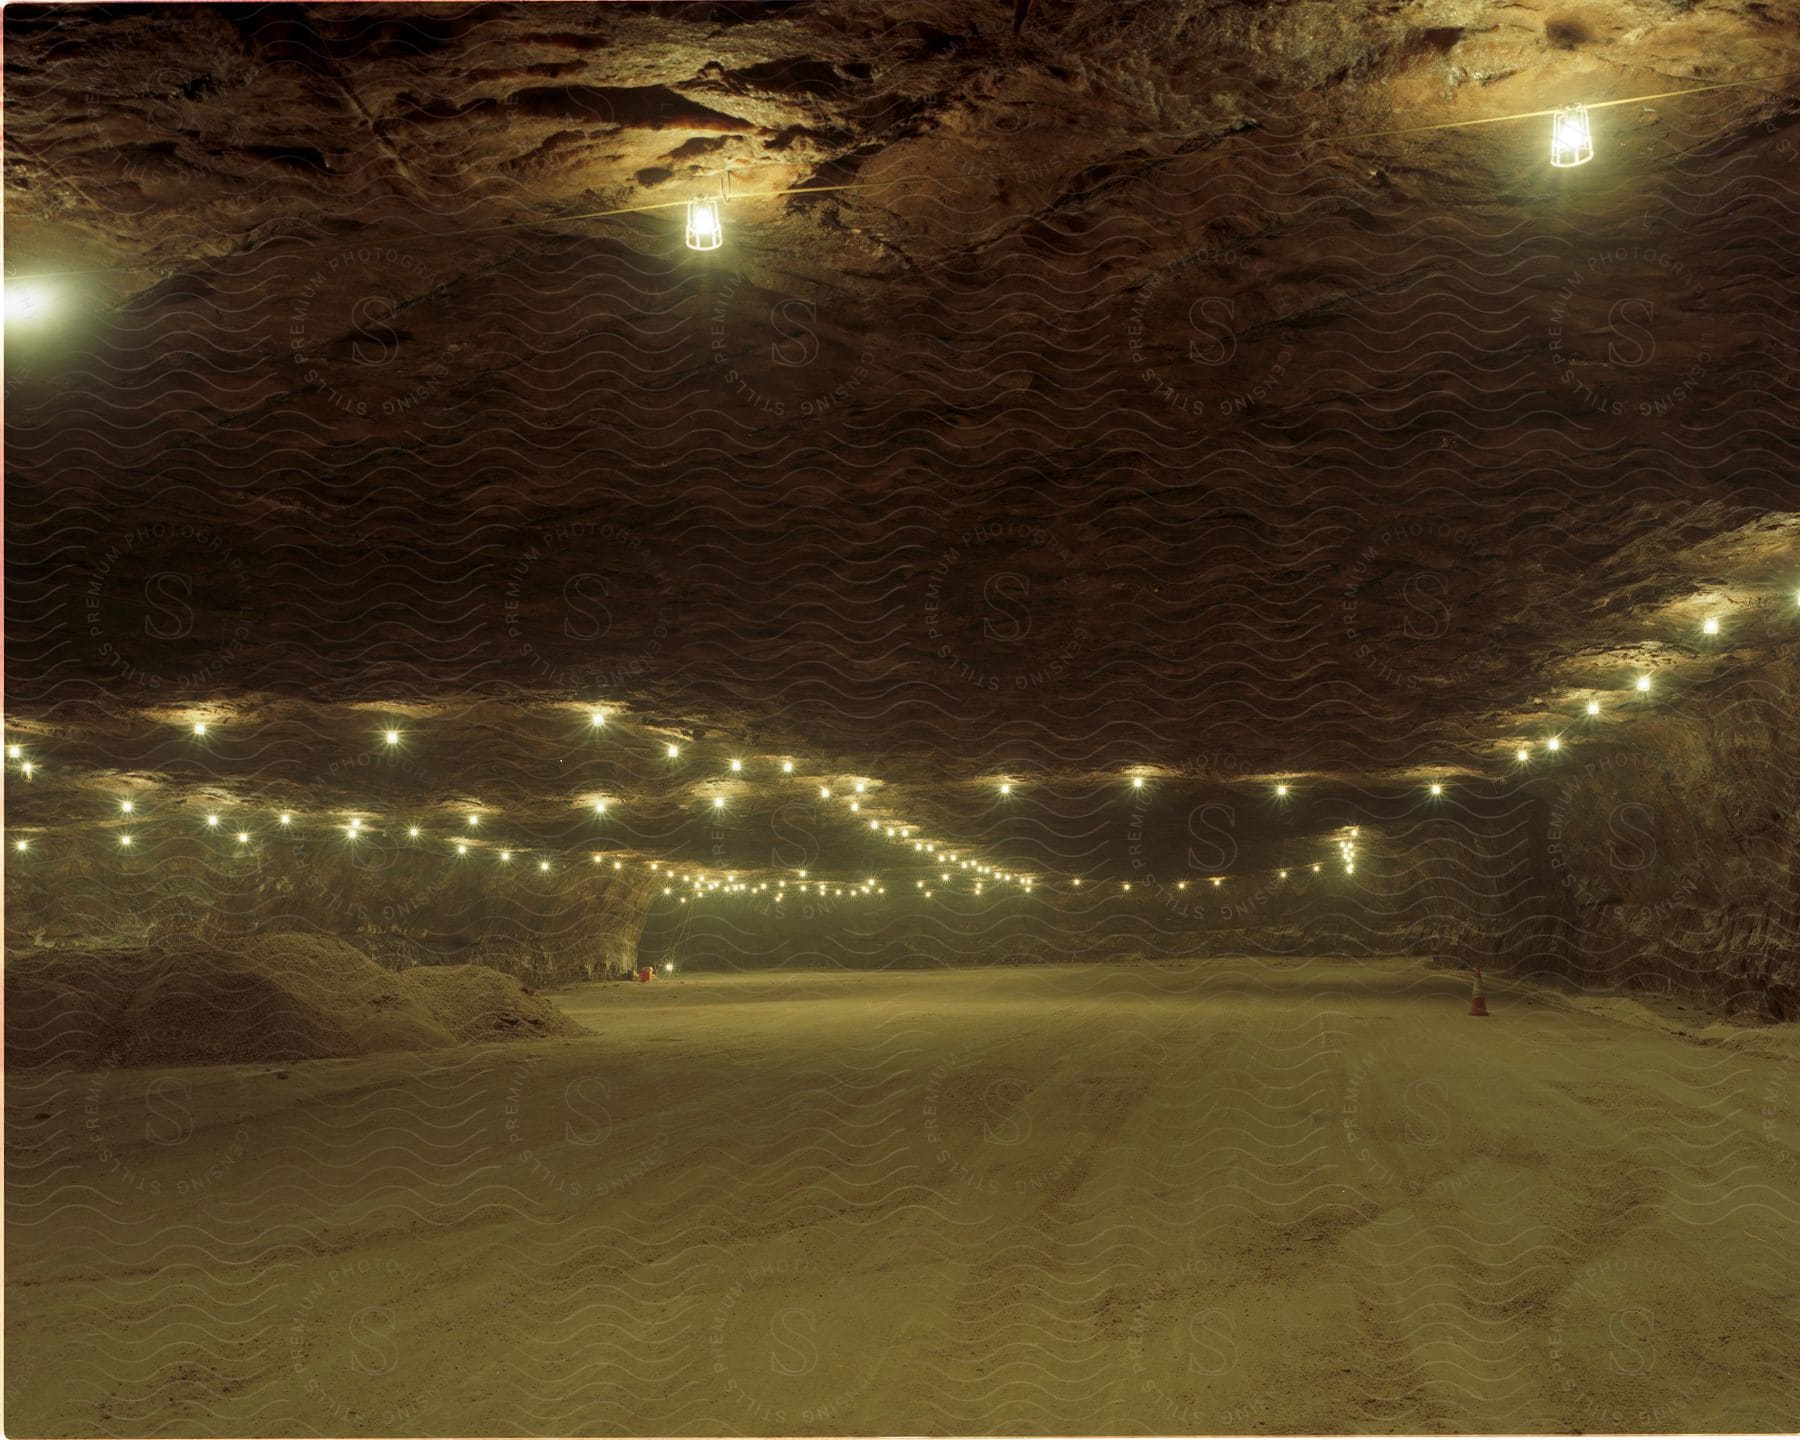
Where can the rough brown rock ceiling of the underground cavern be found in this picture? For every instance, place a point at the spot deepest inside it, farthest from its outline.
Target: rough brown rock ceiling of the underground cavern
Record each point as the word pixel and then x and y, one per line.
pixel 1120 413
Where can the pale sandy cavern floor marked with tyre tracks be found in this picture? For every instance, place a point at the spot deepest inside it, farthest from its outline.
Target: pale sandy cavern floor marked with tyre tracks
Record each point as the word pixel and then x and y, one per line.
pixel 1241 1196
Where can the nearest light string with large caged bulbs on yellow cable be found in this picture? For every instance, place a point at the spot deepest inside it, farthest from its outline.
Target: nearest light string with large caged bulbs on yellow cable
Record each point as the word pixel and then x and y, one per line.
pixel 710 213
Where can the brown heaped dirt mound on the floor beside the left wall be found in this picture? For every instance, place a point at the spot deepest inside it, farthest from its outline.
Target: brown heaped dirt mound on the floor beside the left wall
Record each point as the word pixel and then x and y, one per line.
pixel 278 998
